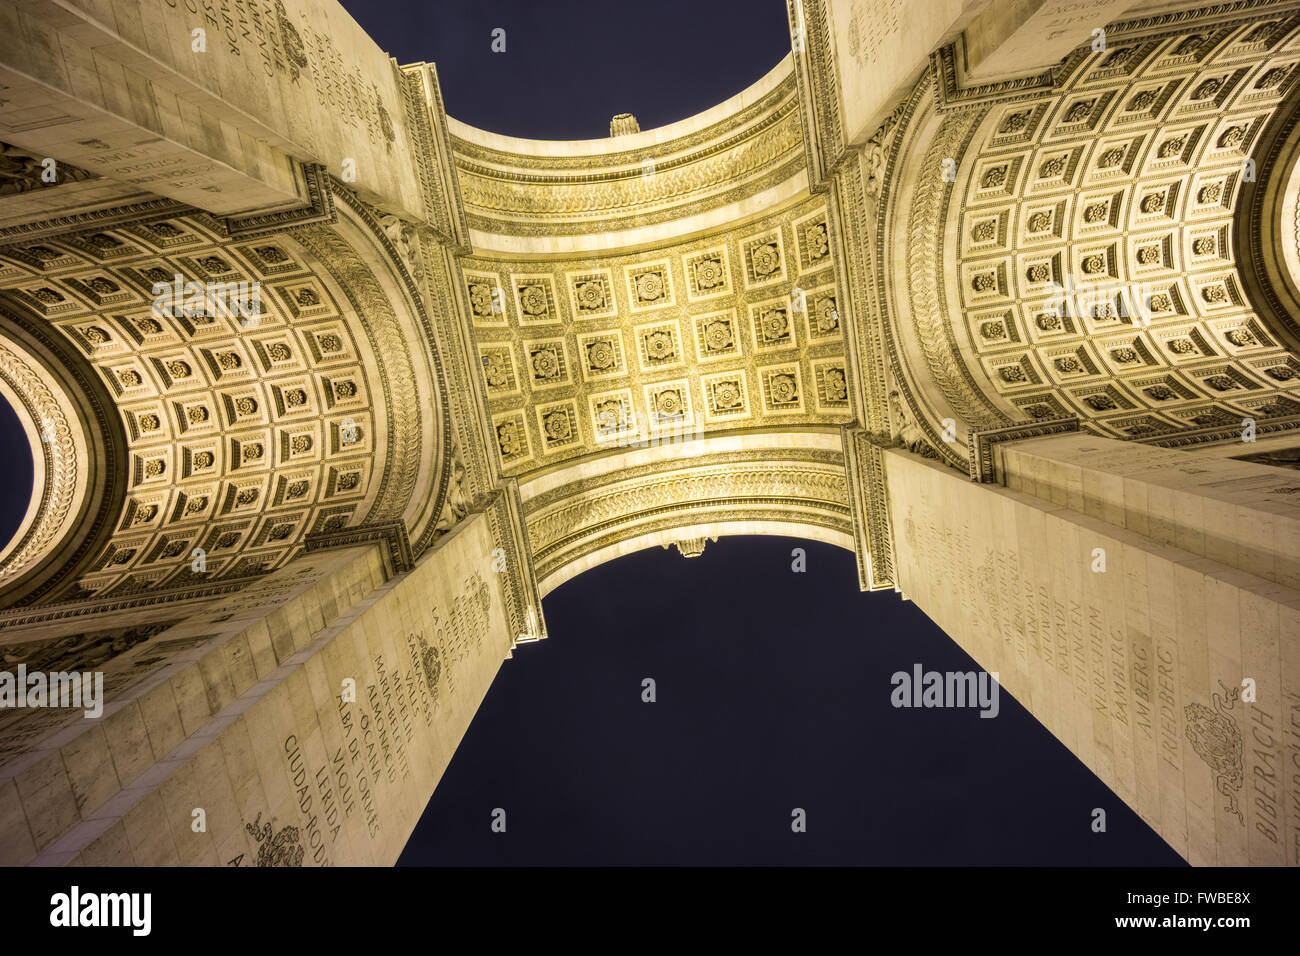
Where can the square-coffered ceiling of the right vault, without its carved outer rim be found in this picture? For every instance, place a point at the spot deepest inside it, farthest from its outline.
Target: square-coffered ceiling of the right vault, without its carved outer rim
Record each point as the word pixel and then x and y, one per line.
pixel 1121 189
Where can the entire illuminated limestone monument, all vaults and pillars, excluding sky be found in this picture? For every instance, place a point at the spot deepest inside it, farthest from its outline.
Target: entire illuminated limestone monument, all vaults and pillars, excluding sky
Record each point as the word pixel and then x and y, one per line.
pixel 327 390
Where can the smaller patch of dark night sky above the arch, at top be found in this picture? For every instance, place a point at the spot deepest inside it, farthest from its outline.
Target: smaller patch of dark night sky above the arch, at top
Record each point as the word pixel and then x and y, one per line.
pixel 570 66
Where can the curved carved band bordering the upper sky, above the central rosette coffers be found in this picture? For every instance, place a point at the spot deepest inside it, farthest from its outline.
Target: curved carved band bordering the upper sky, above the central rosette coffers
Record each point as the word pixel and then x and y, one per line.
pixel 592 197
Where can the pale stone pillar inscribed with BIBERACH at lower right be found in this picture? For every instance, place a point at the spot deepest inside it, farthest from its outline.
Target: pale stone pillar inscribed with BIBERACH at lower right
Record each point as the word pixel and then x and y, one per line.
pixel 1130 599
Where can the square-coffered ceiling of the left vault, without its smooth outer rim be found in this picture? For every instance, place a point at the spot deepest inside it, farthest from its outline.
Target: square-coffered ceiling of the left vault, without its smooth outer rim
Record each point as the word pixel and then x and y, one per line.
pixel 244 435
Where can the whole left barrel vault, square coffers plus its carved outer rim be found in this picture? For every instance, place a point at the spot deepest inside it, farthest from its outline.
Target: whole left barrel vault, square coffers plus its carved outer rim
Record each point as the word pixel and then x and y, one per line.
pixel 239 435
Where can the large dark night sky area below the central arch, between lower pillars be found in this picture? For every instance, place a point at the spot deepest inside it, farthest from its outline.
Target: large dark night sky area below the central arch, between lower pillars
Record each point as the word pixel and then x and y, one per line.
pixel 773 694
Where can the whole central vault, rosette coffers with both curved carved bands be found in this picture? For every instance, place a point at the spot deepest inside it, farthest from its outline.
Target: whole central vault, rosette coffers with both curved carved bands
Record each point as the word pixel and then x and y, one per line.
pixel 658 323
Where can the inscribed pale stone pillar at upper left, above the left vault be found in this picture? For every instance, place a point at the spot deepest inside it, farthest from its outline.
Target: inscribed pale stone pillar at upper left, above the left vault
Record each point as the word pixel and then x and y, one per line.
pixel 215 109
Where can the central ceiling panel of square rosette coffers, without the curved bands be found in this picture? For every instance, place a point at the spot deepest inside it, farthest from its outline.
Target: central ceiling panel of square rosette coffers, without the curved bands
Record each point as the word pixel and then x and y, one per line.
pixel 739 330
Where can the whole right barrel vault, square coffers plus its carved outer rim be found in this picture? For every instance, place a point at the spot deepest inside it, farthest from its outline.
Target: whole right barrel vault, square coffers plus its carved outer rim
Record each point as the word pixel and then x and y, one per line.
pixel 1089 253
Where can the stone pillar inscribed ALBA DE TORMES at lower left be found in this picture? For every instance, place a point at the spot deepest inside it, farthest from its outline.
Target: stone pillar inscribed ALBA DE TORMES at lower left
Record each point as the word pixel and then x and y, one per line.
pixel 248 717
